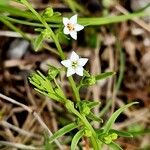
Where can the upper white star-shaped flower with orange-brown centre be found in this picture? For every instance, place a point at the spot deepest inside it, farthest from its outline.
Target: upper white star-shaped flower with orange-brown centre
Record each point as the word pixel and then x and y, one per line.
pixel 71 26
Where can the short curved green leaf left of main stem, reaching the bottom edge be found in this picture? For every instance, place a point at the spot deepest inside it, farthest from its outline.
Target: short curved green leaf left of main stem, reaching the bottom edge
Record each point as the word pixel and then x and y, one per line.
pixel 76 139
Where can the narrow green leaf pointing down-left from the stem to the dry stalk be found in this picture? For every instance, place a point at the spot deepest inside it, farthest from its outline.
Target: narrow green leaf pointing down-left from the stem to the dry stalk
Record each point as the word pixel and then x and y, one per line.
pixel 62 131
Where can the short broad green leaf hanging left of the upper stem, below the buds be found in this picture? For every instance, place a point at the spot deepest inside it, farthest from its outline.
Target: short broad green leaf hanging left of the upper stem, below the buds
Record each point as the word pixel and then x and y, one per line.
pixel 37 44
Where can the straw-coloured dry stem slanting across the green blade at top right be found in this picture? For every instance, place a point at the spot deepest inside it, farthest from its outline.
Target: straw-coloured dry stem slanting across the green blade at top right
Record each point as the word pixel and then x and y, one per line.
pixel 138 21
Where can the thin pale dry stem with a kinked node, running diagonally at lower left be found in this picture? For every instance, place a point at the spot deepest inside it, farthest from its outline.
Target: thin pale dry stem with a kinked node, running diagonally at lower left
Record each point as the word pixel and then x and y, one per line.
pixel 35 115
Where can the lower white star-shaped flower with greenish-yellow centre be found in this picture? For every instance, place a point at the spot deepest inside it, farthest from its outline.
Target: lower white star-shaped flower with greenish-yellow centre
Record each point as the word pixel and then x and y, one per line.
pixel 74 64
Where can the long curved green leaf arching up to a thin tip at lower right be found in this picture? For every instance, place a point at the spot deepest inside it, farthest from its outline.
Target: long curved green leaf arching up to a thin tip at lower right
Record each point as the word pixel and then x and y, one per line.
pixel 114 116
